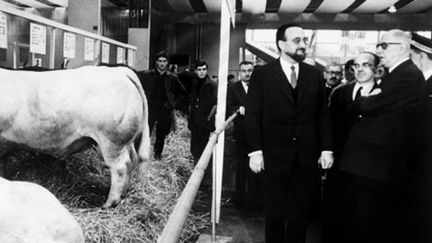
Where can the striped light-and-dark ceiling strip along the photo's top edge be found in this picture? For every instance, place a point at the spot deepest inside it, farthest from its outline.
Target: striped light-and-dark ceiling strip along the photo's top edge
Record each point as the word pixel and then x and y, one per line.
pixel 257 7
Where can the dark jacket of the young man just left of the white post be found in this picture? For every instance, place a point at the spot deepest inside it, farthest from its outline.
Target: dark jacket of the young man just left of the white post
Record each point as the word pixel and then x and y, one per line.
pixel 202 101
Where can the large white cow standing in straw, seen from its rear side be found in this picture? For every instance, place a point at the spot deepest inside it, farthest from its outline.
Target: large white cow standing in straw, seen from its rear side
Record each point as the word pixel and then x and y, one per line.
pixel 62 112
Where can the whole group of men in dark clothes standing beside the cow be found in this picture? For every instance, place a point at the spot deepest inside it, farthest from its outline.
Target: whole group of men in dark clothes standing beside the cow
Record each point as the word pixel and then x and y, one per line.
pixel 367 124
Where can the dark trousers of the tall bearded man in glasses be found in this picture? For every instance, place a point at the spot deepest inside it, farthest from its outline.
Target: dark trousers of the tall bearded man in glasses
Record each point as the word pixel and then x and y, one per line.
pixel 288 202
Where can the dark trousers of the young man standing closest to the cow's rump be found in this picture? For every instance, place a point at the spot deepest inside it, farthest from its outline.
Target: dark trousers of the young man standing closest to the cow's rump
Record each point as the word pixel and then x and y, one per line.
pixel 160 119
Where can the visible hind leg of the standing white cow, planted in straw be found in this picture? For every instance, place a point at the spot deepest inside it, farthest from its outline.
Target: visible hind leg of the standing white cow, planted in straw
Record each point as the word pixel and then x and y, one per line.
pixel 118 160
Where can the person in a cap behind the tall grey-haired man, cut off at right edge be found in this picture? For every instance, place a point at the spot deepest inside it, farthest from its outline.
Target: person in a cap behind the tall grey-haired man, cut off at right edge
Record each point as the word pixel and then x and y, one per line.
pixel 421 55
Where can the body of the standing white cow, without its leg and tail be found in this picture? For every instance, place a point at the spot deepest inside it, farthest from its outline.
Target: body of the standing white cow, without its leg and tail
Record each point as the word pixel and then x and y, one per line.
pixel 50 110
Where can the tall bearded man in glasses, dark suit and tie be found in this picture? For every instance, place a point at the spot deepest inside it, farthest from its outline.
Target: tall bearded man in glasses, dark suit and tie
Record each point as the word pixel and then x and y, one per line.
pixel 288 129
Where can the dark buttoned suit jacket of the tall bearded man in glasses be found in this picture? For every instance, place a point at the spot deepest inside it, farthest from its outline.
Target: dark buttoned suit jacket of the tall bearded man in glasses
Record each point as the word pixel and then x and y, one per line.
pixel 288 131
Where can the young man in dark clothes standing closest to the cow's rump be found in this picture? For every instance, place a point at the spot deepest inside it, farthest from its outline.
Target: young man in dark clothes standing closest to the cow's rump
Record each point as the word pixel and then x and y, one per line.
pixel 164 93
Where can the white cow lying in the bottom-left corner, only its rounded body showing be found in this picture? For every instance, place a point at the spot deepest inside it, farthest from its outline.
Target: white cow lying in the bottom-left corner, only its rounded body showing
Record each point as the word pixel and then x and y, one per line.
pixel 30 213
